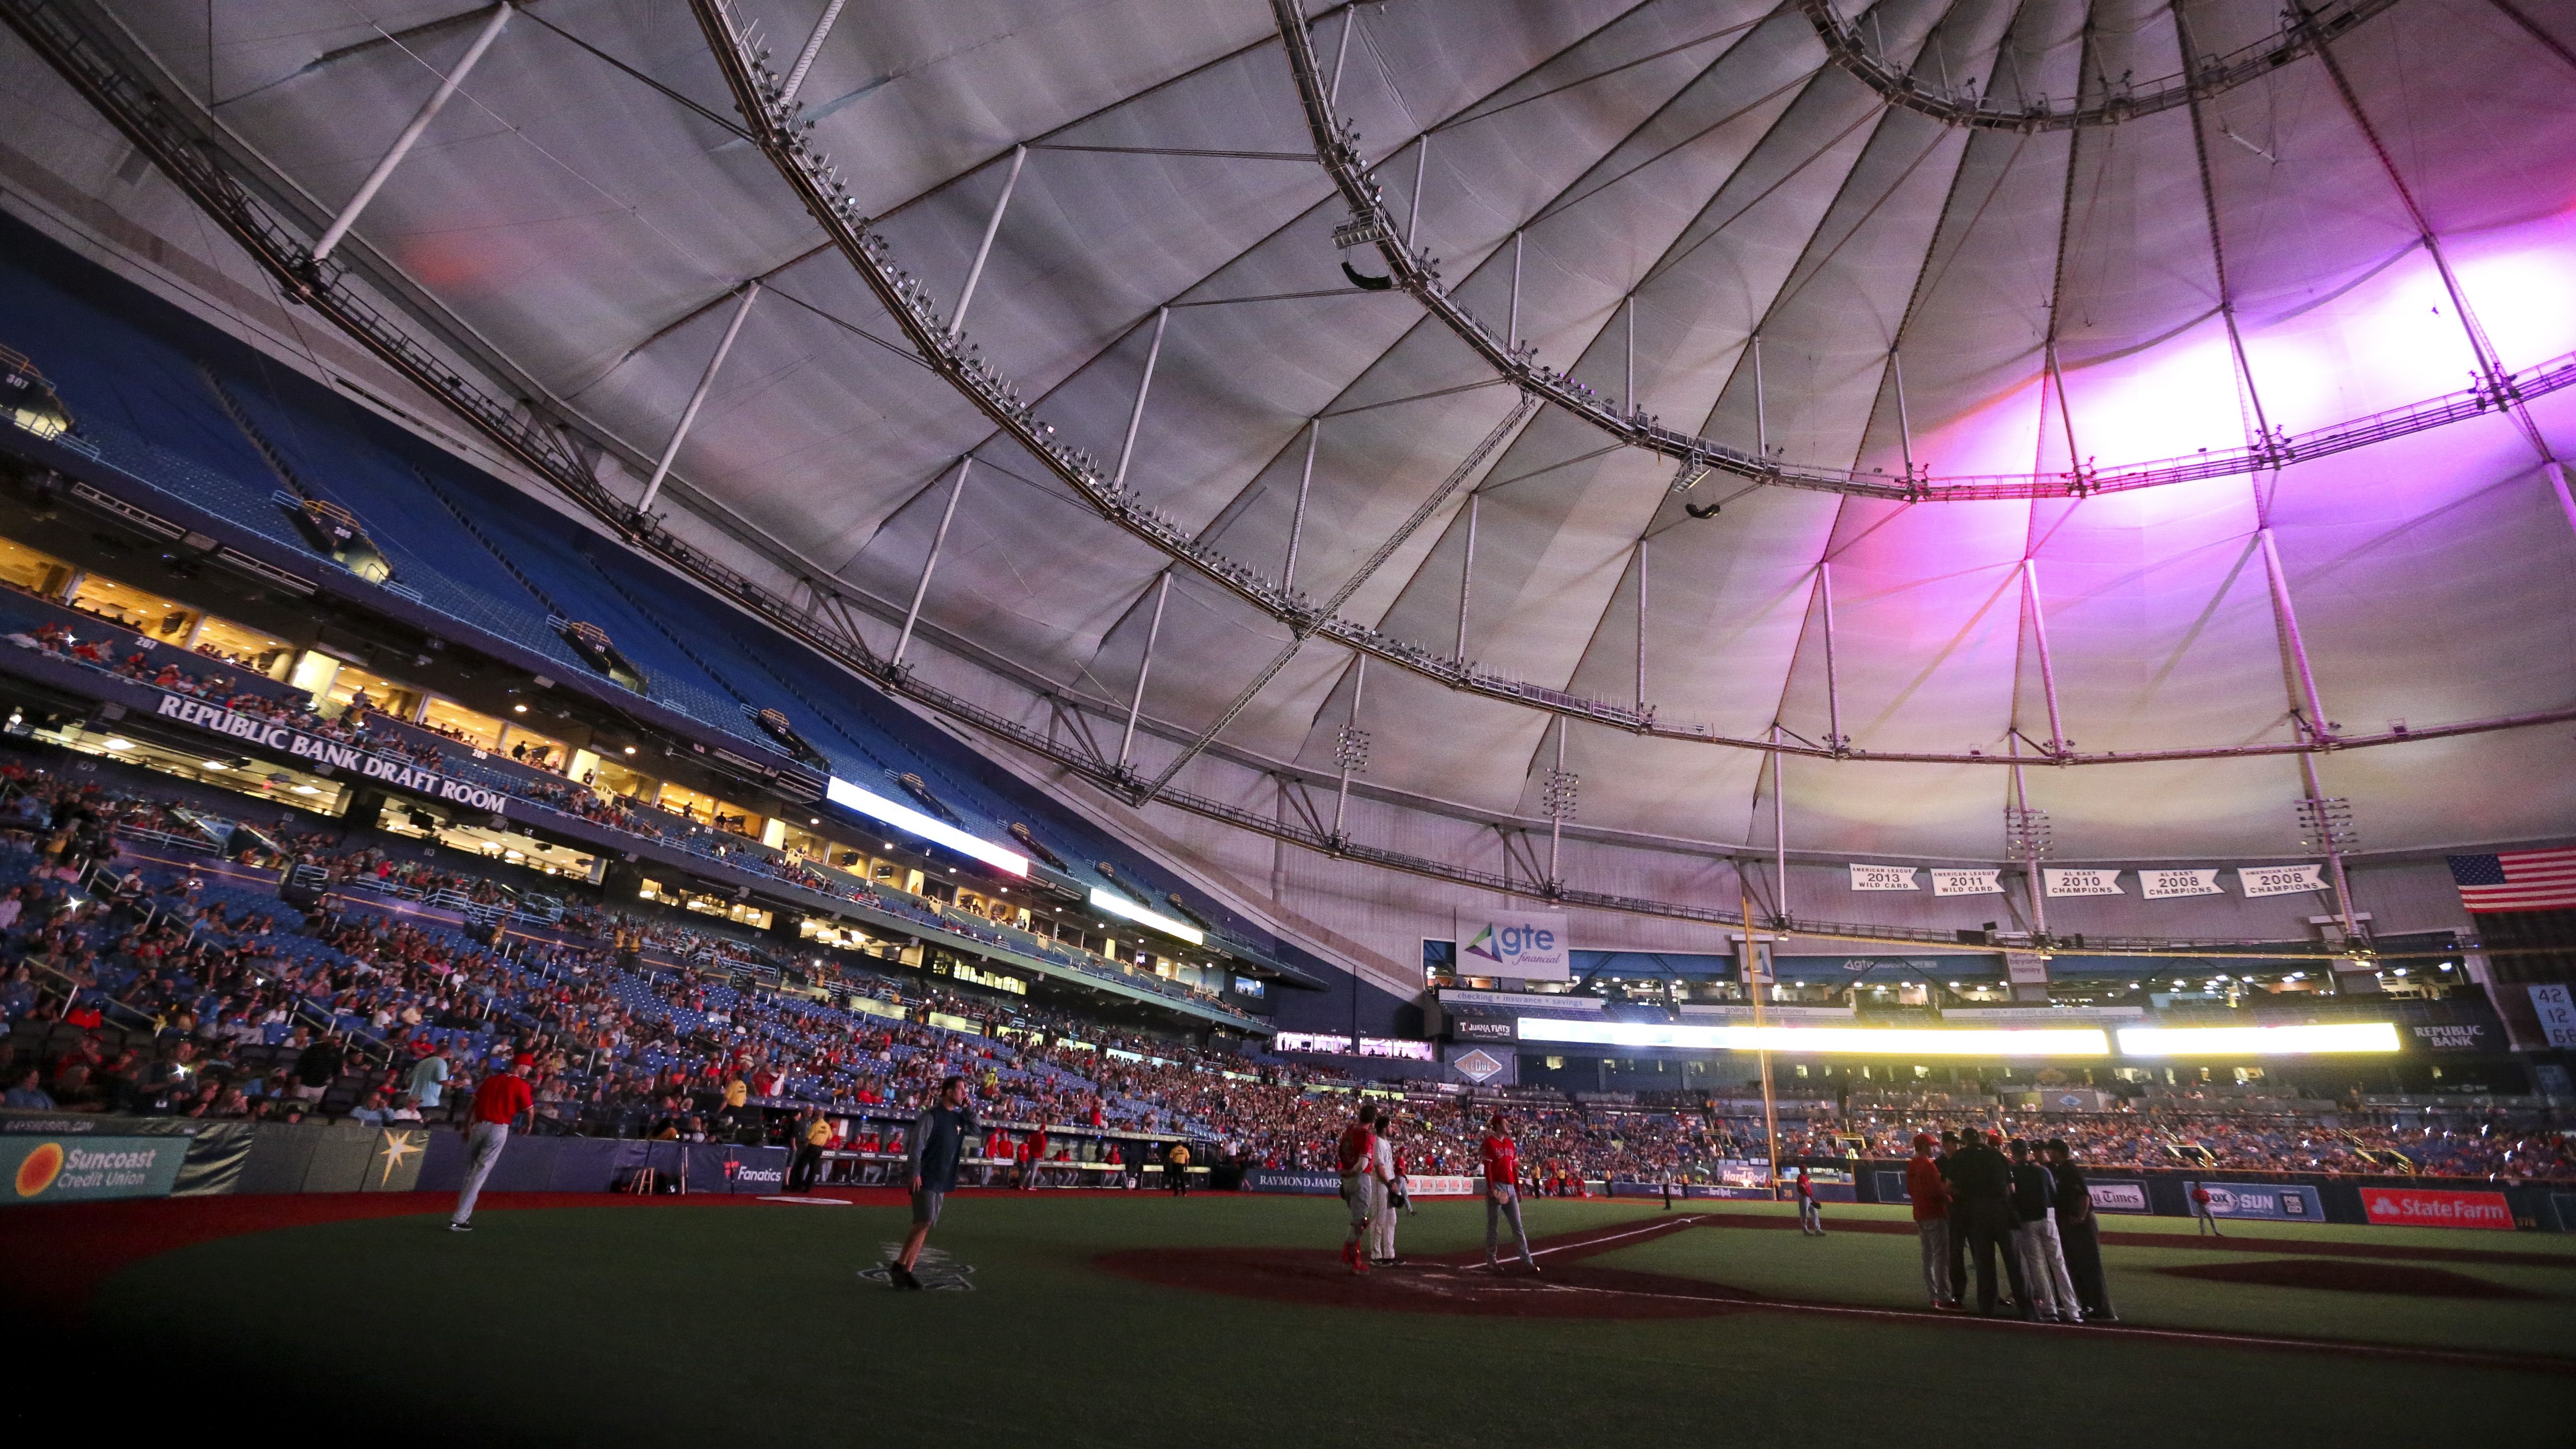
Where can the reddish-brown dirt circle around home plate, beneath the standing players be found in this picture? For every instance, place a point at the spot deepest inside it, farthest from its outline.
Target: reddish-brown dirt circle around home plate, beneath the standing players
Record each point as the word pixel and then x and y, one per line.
pixel 1289 1275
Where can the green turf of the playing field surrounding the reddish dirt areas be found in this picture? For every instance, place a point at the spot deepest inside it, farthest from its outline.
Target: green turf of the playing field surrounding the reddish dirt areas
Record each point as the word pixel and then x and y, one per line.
pixel 748 1324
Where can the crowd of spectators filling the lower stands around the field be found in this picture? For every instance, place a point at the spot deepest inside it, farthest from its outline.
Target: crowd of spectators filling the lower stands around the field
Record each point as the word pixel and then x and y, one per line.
pixel 231 1004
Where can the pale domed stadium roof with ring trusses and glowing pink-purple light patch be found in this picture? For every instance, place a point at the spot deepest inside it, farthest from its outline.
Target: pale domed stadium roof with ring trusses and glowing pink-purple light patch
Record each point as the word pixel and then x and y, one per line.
pixel 1923 385
